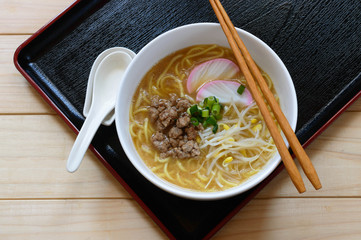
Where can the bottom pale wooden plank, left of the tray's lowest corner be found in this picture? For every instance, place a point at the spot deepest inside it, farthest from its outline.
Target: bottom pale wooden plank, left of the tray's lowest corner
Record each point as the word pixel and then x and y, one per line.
pixel 76 219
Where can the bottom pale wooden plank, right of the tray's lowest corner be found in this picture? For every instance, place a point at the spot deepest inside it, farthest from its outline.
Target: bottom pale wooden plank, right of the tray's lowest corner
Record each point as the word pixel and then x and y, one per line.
pixel 296 218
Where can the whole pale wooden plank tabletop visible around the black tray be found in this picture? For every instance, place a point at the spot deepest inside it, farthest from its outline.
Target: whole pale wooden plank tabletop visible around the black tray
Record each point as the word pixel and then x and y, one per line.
pixel 39 199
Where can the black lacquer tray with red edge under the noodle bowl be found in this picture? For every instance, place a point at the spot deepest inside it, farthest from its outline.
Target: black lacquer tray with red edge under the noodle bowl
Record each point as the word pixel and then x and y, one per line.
pixel 319 42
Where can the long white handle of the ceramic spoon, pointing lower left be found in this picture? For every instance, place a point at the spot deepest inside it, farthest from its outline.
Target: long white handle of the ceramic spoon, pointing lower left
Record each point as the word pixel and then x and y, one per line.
pixel 84 138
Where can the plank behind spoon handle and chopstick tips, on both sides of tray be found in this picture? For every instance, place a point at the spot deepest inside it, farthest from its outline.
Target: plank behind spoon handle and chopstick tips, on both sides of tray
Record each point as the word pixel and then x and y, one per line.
pixel 46 142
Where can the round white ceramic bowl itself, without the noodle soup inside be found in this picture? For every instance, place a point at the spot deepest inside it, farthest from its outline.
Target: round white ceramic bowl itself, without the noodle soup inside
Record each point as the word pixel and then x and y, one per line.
pixel 181 37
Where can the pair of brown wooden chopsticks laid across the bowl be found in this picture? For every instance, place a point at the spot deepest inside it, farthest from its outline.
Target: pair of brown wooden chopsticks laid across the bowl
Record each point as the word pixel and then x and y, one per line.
pixel 247 65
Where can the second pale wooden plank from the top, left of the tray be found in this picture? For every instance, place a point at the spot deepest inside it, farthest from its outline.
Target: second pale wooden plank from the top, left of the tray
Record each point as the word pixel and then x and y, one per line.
pixel 16 94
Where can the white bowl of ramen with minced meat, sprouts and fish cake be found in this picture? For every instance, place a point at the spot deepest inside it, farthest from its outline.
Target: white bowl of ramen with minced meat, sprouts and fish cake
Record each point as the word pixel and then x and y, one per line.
pixel 187 121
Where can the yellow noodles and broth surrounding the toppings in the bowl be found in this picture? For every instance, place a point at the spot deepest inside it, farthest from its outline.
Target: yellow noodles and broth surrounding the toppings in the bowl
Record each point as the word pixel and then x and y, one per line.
pixel 169 75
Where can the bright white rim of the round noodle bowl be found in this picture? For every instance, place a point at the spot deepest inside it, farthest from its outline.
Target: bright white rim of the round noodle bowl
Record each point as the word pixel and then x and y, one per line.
pixel 172 188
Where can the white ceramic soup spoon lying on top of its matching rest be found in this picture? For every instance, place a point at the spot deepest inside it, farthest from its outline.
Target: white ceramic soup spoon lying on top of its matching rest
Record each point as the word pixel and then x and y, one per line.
pixel 105 87
